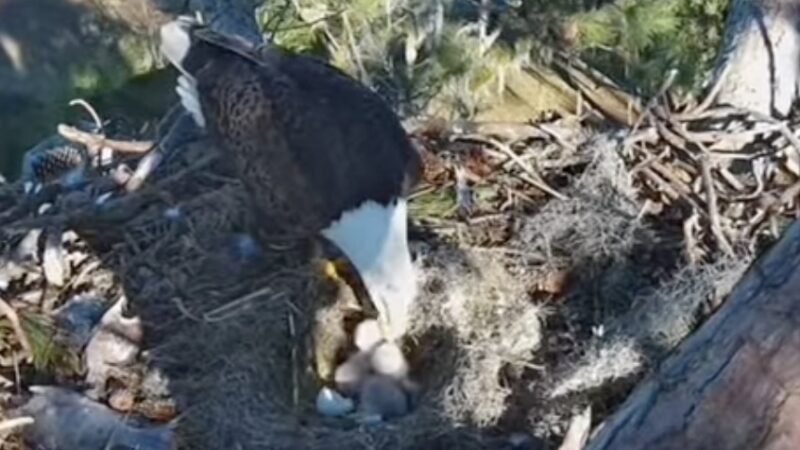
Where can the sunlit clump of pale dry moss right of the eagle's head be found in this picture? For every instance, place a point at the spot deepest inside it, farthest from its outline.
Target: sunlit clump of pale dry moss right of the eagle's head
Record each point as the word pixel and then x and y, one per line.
pixel 494 325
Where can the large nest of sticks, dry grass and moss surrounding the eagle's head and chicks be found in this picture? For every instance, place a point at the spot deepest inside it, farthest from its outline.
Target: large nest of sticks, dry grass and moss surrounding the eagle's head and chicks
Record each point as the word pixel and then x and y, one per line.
pixel 538 244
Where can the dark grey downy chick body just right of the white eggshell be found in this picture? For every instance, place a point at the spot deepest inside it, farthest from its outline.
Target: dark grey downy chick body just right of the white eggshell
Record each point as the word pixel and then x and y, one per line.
pixel 382 396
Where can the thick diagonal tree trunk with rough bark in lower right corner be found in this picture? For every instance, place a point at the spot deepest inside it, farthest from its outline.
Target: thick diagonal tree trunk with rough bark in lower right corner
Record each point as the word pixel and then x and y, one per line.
pixel 735 383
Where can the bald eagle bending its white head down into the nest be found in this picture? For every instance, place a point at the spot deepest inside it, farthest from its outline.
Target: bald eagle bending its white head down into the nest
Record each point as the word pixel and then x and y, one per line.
pixel 318 152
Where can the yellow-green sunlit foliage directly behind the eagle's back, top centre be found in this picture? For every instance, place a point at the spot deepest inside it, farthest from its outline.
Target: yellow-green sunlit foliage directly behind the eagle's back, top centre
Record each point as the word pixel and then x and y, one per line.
pixel 411 51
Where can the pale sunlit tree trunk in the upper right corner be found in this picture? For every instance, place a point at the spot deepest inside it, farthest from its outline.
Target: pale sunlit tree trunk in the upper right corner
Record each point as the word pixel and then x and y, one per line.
pixel 759 65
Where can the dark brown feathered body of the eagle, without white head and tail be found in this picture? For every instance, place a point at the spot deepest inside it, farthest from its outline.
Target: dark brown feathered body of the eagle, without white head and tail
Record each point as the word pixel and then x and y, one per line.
pixel 308 141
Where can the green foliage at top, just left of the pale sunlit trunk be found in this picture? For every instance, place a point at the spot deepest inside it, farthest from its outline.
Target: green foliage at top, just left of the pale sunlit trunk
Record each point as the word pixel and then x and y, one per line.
pixel 639 41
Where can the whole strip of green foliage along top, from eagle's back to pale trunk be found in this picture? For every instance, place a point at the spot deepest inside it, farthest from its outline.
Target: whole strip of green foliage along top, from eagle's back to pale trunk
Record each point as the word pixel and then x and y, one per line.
pixel 433 54
